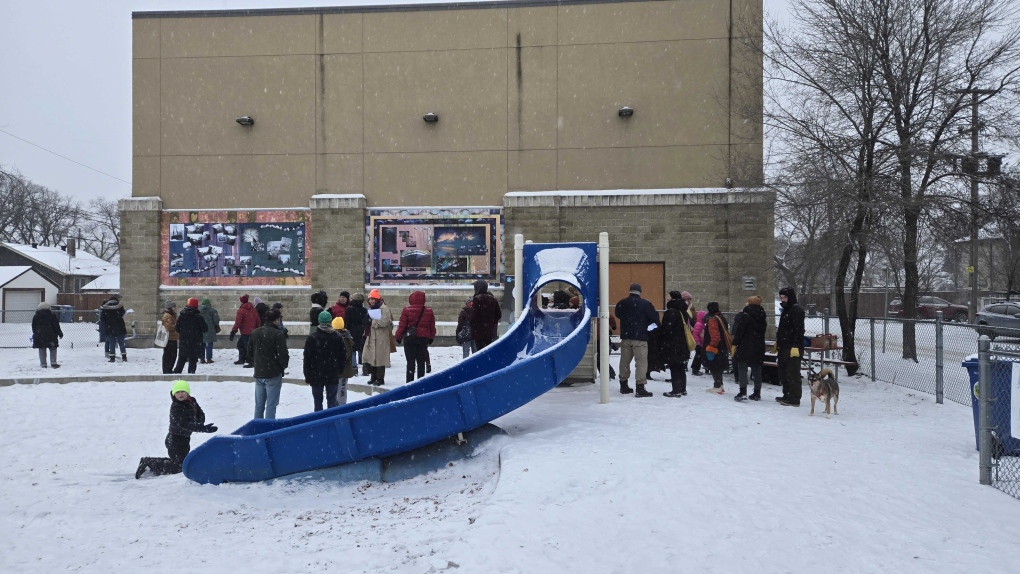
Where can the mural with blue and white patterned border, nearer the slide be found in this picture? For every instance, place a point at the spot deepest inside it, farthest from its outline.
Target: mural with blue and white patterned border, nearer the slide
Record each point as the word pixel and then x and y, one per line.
pixel 431 246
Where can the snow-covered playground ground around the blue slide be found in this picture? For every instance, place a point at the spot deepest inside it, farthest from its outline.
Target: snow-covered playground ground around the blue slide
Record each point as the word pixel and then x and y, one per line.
pixel 696 485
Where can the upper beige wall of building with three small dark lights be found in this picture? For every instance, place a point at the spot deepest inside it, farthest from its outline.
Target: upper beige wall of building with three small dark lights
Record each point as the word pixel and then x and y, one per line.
pixel 528 98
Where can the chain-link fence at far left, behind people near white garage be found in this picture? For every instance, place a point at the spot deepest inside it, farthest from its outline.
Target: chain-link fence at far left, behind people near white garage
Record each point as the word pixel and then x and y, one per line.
pixel 81 328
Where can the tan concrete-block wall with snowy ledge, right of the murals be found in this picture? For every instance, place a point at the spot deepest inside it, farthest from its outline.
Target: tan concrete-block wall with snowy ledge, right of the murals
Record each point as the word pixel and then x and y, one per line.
pixel 708 240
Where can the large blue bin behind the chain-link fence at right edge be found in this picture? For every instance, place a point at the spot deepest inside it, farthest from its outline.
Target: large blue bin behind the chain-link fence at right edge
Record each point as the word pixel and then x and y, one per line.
pixel 1007 434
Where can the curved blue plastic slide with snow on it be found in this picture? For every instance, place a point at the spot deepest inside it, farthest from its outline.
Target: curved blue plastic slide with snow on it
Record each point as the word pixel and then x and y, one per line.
pixel 536 355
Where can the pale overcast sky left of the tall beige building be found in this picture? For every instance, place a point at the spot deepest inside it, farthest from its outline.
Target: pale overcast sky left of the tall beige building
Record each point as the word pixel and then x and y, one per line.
pixel 66 78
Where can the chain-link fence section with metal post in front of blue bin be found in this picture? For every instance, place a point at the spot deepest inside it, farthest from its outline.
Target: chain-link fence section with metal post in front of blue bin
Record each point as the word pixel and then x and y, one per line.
pixel 999 413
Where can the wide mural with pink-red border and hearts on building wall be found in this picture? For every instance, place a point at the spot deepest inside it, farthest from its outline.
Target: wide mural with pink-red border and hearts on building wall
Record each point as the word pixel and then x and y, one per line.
pixel 235 248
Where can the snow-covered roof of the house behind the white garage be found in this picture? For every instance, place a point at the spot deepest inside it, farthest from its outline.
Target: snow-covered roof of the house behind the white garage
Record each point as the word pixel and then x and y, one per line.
pixel 69 271
